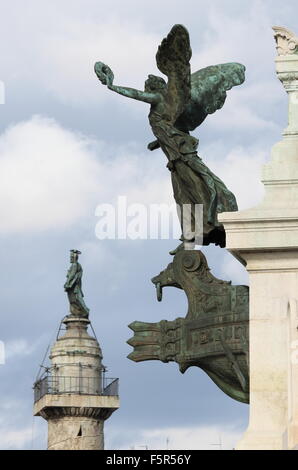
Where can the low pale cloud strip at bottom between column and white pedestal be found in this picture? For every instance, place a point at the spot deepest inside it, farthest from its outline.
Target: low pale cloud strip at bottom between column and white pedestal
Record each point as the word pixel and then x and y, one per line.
pixel 179 438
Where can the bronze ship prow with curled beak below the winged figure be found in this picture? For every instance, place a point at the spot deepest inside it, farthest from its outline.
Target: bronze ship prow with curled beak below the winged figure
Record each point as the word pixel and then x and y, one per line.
pixel 212 336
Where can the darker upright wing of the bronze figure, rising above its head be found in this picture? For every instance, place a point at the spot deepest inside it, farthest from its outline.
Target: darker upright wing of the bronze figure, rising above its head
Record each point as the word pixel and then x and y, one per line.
pixel 172 59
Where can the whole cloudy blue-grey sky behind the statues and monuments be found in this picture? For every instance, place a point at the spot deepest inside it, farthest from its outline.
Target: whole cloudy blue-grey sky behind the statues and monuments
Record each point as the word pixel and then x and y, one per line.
pixel 67 144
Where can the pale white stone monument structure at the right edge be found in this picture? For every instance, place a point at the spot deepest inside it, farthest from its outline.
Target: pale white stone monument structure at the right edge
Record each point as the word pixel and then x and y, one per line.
pixel 265 239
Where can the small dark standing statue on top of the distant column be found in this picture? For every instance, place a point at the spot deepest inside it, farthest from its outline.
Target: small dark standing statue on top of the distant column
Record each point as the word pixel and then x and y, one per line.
pixel 73 286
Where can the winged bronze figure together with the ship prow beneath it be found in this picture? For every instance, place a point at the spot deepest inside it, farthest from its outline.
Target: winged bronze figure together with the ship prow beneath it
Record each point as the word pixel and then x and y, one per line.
pixel 214 333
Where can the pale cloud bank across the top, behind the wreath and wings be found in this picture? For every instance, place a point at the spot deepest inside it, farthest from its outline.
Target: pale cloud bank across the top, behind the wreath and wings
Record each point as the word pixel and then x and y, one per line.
pixel 62 52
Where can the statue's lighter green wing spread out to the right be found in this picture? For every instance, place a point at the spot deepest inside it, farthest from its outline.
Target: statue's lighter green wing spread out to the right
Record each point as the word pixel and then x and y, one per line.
pixel 208 93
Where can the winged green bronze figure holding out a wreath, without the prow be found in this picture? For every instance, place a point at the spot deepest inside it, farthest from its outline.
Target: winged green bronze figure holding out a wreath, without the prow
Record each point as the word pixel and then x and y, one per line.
pixel 176 107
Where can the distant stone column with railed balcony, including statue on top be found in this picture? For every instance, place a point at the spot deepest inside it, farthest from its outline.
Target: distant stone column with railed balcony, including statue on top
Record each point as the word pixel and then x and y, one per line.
pixel 73 395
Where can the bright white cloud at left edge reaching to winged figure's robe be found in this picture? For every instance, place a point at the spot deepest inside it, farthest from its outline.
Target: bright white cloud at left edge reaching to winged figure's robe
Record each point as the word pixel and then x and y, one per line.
pixel 51 177
